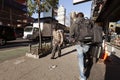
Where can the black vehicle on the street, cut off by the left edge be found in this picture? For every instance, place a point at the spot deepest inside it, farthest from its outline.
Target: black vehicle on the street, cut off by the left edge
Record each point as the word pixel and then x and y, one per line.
pixel 6 34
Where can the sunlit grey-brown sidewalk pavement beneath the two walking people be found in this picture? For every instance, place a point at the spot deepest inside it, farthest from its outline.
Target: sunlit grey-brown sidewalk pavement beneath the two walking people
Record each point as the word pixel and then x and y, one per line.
pixel 63 68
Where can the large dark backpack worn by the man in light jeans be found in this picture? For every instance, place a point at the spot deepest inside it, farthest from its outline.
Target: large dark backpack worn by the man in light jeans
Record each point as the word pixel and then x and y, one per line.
pixel 84 31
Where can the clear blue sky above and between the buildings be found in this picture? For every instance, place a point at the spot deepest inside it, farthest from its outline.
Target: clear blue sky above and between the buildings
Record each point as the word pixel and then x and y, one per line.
pixel 68 5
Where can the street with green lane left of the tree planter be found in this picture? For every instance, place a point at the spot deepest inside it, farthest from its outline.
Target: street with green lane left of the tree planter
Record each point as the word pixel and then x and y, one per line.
pixel 15 48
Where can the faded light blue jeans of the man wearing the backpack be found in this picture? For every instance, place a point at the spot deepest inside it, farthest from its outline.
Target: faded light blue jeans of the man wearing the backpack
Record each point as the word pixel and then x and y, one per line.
pixel 81 49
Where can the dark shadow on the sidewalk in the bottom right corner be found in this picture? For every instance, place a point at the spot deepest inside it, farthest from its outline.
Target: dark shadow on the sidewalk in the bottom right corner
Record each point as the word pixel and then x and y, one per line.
pixel 112 68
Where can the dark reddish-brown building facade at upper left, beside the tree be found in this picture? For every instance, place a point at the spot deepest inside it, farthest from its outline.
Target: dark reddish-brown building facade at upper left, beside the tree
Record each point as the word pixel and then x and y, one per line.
pixel 14 13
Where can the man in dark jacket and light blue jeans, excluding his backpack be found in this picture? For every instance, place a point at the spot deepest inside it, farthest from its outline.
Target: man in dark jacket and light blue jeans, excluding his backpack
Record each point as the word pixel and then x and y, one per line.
pixel 80 46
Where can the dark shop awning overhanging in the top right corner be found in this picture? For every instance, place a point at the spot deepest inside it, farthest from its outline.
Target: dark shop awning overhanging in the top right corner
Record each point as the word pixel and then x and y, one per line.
pixel 110 11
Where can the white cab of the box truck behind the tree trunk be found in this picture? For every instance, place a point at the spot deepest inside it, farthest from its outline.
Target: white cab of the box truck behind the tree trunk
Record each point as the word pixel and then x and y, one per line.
pixel 32 32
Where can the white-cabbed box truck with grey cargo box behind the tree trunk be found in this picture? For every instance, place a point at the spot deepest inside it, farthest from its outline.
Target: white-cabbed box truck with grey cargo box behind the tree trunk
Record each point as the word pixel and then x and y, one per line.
pixel 32 32
